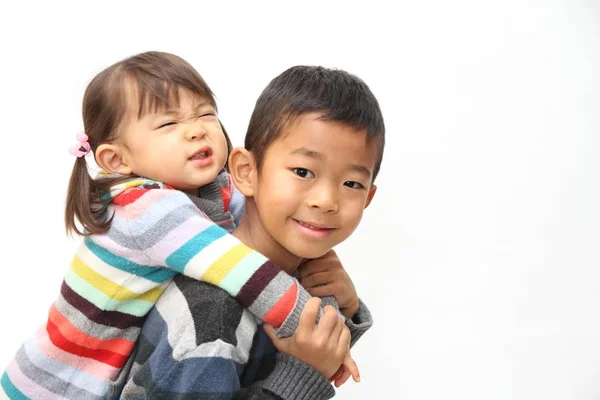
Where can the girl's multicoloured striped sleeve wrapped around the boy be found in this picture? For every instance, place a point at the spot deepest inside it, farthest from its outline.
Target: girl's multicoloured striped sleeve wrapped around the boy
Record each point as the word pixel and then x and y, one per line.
pixel 185 241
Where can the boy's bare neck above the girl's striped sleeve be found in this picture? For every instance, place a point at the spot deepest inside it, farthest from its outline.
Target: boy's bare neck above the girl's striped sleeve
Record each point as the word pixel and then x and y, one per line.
pixel 253 234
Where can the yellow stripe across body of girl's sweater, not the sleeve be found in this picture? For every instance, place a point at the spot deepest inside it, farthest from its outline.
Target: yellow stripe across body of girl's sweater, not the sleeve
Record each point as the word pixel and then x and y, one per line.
pixel 111 289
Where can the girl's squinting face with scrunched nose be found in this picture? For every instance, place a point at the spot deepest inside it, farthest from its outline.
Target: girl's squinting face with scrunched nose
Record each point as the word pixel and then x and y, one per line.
pixel 183 146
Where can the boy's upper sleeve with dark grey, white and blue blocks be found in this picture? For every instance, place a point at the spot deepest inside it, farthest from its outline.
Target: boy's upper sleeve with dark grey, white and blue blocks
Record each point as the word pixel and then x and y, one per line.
pixel 195 341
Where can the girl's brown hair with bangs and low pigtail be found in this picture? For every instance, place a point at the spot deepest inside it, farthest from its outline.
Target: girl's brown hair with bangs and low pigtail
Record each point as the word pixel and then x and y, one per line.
pixel 158 77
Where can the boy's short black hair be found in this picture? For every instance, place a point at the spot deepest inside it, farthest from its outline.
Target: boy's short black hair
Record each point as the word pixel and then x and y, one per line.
pixel 341 96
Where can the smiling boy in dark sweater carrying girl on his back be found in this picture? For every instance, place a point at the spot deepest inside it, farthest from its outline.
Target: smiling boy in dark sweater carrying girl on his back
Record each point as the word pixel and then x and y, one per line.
pixel 312 151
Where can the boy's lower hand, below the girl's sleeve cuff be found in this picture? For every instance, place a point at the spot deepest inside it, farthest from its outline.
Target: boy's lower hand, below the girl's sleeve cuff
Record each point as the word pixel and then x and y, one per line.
pixel 323 346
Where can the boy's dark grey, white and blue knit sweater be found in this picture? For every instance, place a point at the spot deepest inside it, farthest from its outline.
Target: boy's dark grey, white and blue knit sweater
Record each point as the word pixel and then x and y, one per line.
pixel 199 343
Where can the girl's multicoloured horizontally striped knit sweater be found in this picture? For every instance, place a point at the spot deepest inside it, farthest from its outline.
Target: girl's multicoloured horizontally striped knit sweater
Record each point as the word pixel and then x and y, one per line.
pixel 116 278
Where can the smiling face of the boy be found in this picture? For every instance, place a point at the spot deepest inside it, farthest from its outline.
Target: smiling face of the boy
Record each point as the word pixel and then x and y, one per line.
pixel 314 184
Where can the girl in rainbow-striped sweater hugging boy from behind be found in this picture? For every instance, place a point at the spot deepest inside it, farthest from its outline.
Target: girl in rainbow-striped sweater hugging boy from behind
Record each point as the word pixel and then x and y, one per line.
pixel 151 123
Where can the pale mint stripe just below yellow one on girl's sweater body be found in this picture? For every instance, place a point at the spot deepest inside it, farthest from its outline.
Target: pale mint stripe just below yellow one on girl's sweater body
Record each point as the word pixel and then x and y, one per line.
pixel 135 307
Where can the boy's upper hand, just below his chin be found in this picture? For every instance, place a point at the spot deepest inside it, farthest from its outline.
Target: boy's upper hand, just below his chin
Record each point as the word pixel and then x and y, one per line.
pixel 325 276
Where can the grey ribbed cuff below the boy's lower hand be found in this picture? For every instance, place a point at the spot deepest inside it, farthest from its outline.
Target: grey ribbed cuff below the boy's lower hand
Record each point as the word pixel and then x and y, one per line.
pixel 293 379
